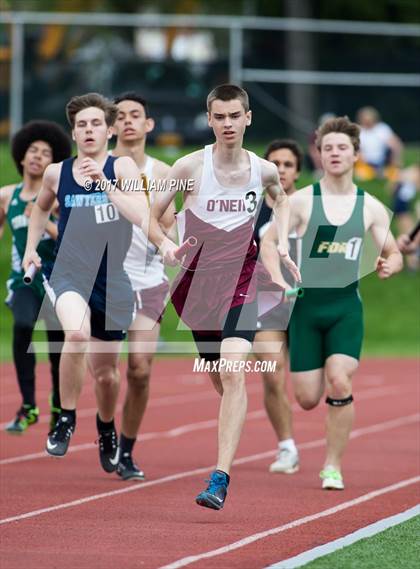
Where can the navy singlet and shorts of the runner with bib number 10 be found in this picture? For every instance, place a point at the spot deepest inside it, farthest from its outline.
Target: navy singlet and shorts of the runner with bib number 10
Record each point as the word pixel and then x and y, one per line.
pixel 91 261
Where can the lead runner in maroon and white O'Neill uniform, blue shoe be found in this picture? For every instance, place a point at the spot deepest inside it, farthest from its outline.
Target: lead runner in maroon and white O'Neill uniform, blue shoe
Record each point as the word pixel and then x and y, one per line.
pixel 216 295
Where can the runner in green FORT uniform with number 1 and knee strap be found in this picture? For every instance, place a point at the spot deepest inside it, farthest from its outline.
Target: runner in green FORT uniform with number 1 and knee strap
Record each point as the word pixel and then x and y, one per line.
pixel 326 327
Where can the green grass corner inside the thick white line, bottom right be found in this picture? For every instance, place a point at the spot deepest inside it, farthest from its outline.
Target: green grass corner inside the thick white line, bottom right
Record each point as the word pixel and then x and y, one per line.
pixel 395 548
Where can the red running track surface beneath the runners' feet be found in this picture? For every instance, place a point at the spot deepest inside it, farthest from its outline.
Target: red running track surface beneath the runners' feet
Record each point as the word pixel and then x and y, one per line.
pixel 70 514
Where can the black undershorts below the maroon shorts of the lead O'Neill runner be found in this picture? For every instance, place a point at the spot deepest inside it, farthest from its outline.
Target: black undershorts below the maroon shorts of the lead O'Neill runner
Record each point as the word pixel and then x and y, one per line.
pixel 208 342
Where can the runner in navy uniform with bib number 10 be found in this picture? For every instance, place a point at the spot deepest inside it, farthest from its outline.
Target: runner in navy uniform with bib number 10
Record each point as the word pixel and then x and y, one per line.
pixel 91 292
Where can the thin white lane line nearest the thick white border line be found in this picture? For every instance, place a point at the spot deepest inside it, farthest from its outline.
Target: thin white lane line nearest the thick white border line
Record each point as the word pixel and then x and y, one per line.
pixel 279 529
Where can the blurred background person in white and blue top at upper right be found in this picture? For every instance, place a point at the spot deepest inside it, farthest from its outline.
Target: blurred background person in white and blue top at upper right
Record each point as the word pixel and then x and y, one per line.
pixel 380 147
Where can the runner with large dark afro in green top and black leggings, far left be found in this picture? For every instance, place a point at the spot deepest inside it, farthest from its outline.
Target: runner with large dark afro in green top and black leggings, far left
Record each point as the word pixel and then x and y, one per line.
pixel 33 149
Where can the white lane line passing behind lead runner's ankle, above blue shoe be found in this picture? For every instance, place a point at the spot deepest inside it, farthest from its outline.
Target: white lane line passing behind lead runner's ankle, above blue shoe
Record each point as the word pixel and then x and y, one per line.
pixel 251 458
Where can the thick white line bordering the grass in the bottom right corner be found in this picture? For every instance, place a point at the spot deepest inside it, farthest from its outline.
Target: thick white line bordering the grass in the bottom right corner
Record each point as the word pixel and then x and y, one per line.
pixel 367 531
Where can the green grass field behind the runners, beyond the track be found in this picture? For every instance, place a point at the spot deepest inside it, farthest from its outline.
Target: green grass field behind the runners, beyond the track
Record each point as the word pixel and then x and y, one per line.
pixel 391 308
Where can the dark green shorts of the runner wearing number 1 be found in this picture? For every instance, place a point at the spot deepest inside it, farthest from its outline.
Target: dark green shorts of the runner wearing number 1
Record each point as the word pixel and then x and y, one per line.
pixel 323 325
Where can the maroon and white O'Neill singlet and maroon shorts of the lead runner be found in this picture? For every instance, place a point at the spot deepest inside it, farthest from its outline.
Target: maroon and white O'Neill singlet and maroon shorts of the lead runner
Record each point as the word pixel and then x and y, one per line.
pixel 221 272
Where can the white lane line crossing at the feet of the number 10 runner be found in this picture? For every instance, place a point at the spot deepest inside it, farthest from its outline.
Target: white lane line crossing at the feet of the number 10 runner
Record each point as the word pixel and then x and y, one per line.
pixel 183 429
